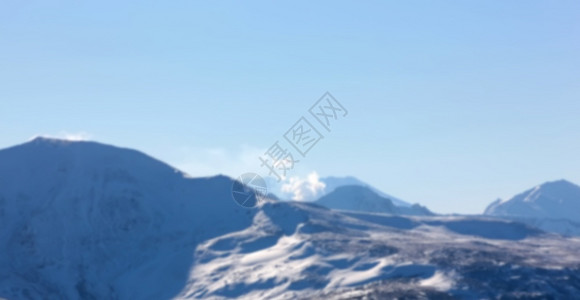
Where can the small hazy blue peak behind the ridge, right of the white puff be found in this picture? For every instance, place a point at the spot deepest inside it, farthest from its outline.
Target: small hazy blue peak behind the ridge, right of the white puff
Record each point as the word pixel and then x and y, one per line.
pixel 364 199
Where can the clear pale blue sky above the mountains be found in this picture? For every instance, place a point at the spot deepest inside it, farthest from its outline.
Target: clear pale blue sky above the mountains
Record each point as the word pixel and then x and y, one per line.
pixel 451 103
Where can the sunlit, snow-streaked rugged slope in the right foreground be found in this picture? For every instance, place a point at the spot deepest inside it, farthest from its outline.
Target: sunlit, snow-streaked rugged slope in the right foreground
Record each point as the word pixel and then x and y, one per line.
pixel 306 252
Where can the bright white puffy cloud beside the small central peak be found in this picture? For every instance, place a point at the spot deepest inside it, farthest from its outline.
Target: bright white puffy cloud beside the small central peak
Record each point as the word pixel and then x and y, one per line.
pixel 304 188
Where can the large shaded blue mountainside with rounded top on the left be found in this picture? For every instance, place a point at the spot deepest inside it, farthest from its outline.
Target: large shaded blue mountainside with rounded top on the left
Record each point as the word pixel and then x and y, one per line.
pixel 82 219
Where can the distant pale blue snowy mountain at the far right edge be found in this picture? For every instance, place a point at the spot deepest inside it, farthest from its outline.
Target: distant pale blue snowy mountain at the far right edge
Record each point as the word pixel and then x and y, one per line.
pixel 552 206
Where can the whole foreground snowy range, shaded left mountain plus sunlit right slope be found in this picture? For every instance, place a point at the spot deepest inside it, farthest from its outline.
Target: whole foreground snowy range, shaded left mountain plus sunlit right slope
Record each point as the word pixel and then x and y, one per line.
pixel 82 220
